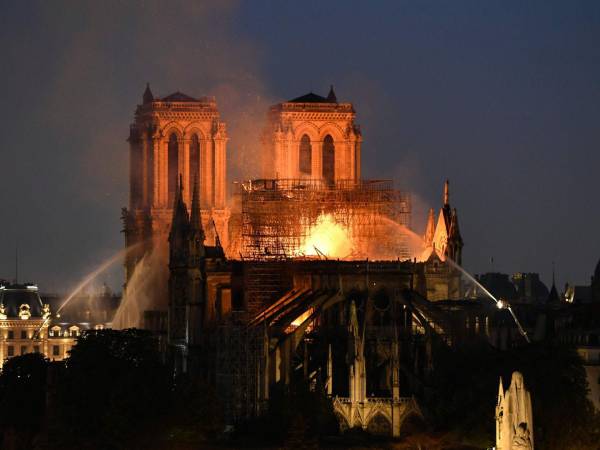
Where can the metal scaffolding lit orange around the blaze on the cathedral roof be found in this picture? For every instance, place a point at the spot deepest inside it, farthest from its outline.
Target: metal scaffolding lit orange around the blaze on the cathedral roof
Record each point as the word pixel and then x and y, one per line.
pixel 278 214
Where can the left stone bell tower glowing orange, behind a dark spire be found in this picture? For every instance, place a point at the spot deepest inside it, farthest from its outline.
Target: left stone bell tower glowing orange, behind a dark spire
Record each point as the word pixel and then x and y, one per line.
pixel 171 137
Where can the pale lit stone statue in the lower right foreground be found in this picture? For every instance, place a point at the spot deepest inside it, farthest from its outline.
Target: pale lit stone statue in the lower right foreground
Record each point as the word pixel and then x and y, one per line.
pixel 514 419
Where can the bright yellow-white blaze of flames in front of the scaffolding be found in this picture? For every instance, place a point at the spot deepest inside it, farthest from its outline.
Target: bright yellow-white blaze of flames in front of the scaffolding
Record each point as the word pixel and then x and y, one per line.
pixel 329 237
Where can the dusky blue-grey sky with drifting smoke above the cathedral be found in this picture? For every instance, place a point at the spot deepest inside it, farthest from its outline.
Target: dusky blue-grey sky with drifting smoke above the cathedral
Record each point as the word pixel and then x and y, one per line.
pixel 503 98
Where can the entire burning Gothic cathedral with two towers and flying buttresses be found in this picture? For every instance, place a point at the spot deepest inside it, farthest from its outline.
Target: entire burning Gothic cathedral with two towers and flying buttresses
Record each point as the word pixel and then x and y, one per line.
pixel 310 273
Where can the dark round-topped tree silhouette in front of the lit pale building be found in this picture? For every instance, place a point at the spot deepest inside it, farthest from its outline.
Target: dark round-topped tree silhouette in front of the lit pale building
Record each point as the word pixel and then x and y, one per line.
pixel 114 387
